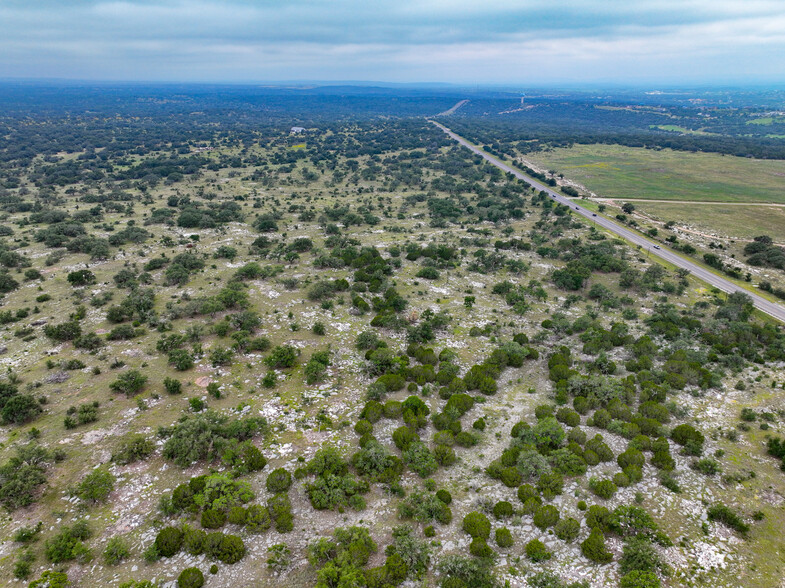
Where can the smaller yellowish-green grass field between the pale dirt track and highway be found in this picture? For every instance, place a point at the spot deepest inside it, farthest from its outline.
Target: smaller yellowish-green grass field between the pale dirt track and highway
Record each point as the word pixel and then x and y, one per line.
pixel 736 222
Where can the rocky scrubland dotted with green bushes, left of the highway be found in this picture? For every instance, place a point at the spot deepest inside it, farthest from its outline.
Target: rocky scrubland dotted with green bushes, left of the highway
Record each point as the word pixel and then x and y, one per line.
pixel 359 356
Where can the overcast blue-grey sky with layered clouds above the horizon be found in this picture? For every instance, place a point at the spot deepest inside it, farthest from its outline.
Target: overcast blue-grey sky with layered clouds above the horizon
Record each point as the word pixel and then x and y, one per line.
pixel 462 41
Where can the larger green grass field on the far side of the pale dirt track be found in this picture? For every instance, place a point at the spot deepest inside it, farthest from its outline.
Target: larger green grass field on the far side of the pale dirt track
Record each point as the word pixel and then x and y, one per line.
pixel 630 173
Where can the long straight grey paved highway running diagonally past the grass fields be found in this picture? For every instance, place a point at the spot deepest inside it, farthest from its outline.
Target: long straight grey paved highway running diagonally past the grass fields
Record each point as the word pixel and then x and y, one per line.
pixel 770 308
